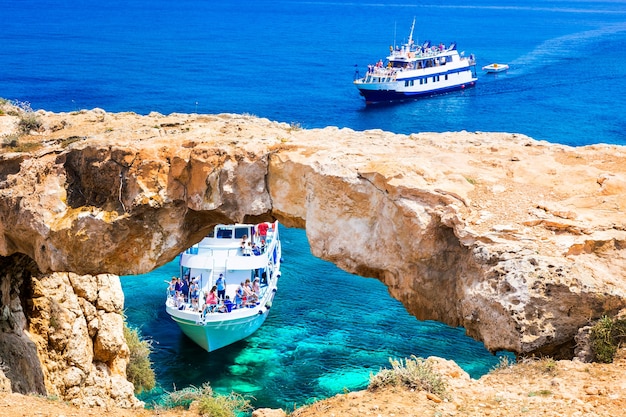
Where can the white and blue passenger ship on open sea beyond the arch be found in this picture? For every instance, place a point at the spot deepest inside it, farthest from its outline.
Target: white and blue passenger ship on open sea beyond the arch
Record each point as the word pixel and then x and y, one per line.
pixel 413 71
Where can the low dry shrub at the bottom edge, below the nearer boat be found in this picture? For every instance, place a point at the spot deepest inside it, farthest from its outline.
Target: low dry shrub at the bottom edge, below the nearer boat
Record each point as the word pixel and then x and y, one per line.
pixel 209 403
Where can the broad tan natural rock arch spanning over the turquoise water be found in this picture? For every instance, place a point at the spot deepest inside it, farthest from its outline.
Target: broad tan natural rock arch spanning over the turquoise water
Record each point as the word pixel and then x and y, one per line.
pixel 521 242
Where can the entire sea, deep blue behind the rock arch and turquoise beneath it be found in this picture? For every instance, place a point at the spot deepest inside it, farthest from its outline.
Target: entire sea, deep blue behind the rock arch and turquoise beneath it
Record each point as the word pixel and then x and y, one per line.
pixel 294 61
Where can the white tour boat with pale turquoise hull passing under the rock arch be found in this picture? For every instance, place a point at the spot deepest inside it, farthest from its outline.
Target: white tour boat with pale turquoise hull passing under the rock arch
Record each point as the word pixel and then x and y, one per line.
pixel 215 326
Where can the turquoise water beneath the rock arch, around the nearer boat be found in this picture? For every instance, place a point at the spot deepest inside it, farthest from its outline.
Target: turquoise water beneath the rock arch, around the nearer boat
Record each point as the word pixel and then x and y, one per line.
pixel 326 332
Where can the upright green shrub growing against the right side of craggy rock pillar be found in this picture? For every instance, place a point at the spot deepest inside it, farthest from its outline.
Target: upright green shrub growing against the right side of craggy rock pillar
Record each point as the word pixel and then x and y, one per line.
pixel 139 370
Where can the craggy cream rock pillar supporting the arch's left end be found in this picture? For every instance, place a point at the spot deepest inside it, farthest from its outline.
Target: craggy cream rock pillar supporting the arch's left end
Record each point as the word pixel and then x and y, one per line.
pixel 62 335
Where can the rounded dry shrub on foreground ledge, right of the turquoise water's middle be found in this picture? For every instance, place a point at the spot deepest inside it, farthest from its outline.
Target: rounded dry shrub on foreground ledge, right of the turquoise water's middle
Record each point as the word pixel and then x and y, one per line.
pixel 414 373
